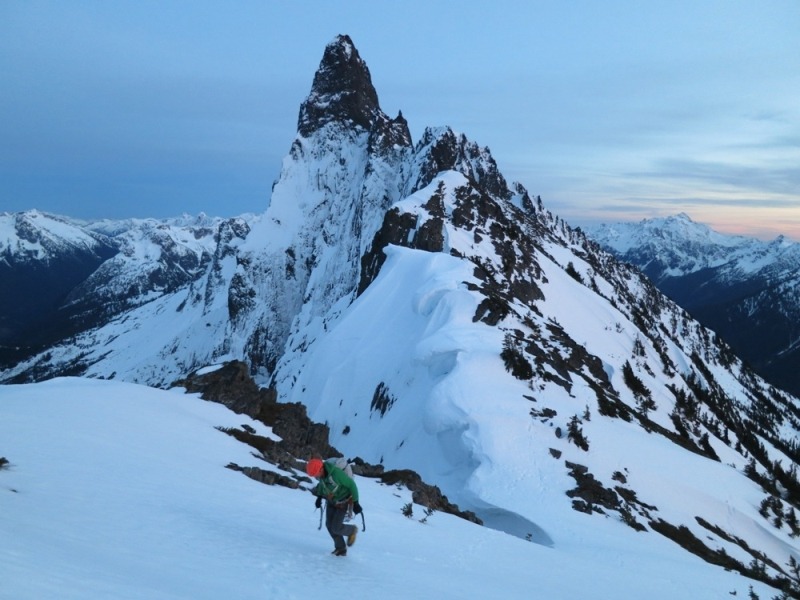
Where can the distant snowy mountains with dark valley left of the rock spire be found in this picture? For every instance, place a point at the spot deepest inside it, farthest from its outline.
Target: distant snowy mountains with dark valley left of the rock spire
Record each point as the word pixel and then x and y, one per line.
pixel 61 276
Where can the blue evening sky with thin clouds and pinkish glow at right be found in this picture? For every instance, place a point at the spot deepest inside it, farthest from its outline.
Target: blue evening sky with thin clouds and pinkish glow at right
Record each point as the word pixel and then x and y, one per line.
pixel 614 110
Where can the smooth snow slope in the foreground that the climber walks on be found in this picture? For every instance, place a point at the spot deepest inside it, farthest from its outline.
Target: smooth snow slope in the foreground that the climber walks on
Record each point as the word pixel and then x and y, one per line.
pixel 120 491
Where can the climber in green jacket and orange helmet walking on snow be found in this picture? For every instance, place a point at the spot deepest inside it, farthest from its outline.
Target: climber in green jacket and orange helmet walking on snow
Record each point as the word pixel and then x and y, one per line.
pixel 340 491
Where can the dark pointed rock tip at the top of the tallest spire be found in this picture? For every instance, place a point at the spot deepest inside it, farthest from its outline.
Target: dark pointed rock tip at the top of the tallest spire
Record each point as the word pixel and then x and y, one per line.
pixel 342 90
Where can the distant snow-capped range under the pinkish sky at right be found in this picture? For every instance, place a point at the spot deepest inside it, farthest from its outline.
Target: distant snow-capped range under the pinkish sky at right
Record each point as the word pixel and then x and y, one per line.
pixel 746 290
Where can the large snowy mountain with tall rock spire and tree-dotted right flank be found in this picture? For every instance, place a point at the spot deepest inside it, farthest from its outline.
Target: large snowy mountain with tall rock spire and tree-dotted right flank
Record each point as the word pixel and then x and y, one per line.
pixel 436 318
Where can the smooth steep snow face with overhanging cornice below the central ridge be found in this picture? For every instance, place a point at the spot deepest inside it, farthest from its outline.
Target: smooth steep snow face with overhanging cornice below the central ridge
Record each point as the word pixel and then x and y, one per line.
pixel 415 325
